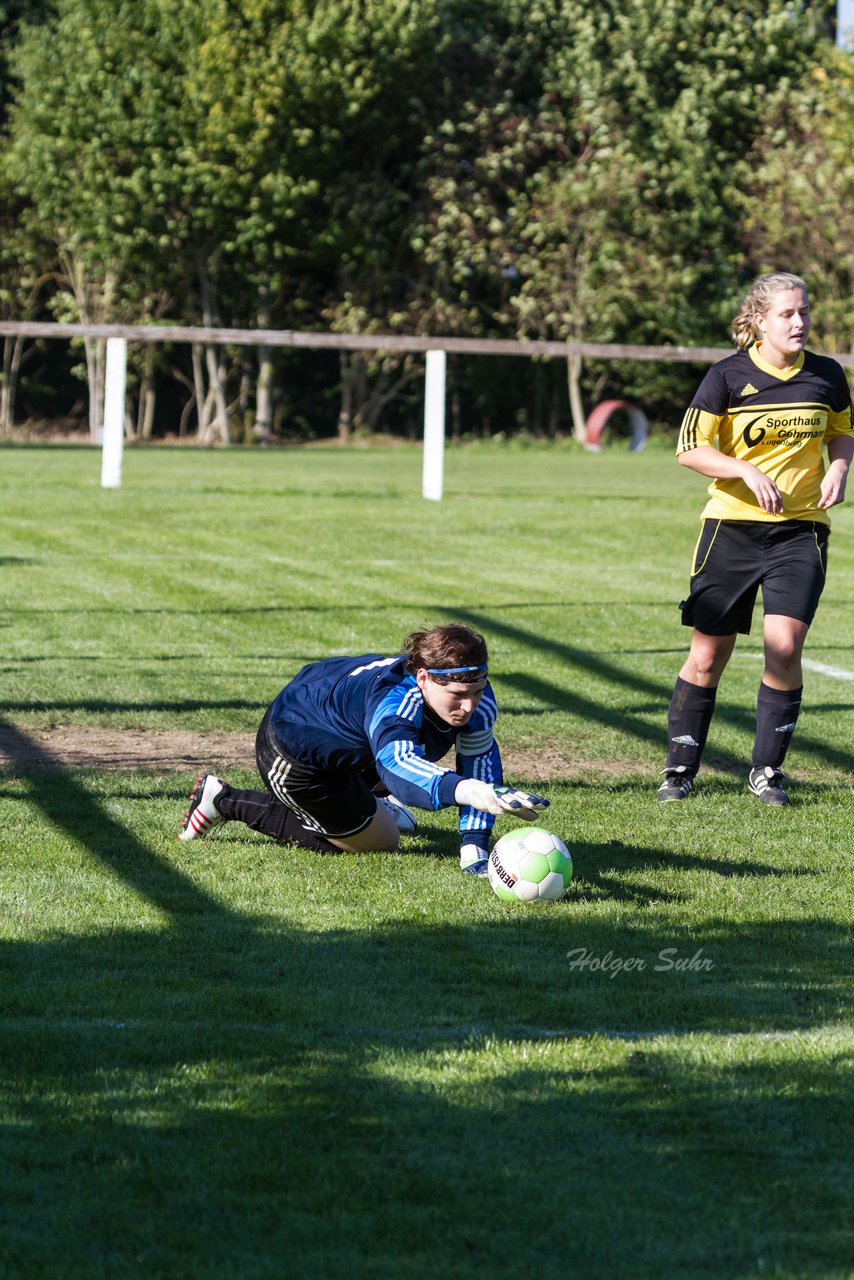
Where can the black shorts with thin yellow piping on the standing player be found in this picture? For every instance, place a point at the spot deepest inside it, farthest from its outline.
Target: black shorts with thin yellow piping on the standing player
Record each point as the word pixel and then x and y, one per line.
pixel 734 557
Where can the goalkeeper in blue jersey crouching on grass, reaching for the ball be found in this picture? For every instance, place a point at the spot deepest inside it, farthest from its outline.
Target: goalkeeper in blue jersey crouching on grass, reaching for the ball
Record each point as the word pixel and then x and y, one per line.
pixel 351 742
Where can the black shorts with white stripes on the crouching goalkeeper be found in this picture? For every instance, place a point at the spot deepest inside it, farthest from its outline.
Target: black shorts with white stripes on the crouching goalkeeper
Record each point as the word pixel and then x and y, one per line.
pixel 330 804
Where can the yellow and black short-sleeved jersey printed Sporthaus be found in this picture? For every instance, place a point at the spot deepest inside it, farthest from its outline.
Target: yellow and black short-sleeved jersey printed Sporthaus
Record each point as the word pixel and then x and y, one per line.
pixel 775 419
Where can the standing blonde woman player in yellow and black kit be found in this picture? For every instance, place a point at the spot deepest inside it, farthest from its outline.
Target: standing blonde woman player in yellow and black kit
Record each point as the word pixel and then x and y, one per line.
pixel 771 406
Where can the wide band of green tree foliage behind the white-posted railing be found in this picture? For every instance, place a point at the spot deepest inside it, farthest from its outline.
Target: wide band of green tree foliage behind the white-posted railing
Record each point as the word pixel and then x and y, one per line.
pixel 544 168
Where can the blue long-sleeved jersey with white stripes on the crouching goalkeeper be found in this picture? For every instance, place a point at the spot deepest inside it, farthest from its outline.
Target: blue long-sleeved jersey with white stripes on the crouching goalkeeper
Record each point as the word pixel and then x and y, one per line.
pixel 367 715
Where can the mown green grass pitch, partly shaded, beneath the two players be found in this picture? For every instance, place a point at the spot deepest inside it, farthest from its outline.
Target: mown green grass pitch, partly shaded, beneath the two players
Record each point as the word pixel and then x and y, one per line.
pixel 236 1060
